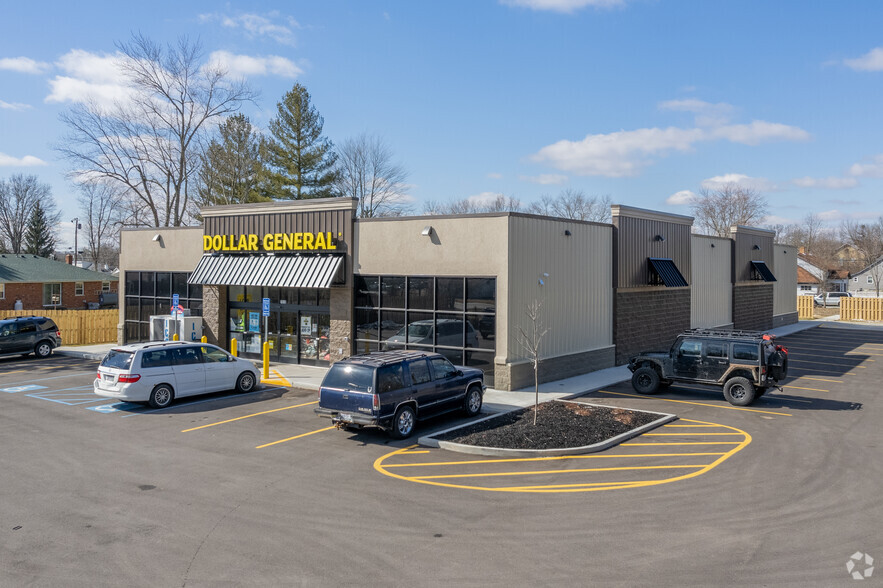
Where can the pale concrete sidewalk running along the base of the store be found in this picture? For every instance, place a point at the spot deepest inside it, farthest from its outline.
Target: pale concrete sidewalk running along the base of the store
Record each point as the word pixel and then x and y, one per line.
pixel 309 377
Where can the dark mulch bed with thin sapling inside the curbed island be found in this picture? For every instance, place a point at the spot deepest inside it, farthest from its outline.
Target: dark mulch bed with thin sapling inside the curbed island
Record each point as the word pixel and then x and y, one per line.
pixel 559 425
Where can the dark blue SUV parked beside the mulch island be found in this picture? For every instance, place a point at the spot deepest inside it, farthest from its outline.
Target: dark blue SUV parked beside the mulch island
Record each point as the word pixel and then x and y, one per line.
pixel 394 389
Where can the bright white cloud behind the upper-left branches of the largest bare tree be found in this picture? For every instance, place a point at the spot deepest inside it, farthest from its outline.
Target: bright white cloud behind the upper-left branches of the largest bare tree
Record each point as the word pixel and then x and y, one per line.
pixel 90 77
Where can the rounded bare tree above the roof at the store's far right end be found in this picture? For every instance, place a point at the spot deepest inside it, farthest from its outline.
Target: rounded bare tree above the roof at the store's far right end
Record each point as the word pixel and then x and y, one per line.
pixel 717 210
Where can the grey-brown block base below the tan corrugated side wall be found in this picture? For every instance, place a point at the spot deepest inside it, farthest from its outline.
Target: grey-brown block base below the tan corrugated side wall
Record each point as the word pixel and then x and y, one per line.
pixel 520 375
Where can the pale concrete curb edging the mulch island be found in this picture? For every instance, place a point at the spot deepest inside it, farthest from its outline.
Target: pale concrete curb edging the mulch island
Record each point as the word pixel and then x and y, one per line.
pixel 430 441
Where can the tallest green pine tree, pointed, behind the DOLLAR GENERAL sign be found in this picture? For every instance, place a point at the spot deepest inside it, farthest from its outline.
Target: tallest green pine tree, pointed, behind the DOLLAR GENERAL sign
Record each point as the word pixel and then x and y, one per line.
pixel 301 159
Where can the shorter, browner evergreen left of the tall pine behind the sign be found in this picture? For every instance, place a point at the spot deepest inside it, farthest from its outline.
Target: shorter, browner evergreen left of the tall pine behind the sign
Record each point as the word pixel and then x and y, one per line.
pixel 232 166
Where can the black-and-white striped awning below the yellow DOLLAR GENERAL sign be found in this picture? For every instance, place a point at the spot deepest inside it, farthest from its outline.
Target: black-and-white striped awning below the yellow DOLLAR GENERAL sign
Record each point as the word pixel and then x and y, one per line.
pixel 283 271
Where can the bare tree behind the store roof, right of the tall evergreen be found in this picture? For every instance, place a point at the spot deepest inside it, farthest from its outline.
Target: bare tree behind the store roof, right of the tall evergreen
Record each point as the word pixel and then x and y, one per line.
pixel 366 171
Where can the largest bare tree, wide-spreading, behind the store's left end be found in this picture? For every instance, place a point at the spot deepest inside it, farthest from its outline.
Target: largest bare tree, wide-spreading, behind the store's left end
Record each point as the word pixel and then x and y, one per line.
pixel 147 144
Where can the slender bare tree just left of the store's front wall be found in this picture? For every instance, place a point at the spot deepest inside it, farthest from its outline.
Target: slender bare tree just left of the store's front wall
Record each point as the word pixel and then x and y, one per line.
pixel 102 208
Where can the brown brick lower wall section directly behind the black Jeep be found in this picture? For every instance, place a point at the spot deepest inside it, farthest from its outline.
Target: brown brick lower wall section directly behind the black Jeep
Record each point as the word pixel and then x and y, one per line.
pixel 649 319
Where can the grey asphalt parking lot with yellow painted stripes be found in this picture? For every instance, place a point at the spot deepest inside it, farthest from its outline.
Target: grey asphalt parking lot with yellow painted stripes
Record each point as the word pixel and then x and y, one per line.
pixel 255 489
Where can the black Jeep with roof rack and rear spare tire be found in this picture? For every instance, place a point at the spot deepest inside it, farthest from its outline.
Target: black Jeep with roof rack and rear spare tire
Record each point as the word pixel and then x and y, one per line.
pixel 745 363
